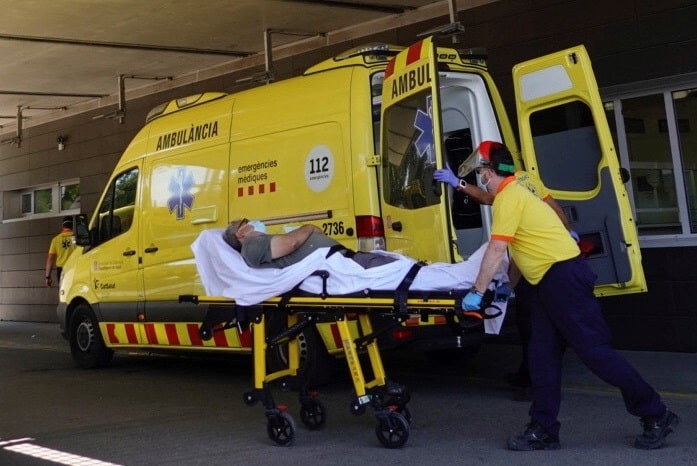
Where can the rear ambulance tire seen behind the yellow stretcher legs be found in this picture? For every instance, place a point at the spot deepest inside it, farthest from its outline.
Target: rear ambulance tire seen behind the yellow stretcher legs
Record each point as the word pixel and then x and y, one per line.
pixel 317 366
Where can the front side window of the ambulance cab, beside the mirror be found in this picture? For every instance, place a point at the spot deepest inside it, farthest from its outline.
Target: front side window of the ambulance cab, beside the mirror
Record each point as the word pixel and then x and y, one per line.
pixel 116 210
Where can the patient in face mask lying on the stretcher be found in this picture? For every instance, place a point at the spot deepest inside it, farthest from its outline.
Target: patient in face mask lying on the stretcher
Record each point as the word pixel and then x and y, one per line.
pixel 260 250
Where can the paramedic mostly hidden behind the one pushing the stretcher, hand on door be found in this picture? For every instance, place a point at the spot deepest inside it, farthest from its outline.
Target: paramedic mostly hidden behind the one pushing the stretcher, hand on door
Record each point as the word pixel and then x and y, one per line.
pixel 521 378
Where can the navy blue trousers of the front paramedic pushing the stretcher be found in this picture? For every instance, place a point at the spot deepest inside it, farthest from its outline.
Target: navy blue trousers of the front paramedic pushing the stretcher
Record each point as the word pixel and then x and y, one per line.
pixel 565 311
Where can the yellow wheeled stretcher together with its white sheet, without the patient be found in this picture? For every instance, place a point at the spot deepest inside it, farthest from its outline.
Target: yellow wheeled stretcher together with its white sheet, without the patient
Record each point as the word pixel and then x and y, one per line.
pixel 242 296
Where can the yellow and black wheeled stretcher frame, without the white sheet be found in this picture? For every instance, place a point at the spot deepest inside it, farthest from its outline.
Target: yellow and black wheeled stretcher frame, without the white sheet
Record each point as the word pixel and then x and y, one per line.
pixel 387 398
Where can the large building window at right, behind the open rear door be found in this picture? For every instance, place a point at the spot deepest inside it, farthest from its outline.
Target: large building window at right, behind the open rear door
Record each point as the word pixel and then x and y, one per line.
pixel 653 133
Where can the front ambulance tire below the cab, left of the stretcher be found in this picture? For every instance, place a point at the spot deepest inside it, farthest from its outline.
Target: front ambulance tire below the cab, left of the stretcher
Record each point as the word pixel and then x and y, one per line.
pixel 86 344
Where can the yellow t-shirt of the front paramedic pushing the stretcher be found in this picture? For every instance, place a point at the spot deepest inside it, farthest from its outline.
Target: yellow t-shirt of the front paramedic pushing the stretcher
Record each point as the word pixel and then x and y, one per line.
pixel 535 235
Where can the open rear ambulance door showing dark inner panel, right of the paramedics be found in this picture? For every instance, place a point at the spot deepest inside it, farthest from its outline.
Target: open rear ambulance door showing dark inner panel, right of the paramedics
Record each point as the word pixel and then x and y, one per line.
pixel 566 140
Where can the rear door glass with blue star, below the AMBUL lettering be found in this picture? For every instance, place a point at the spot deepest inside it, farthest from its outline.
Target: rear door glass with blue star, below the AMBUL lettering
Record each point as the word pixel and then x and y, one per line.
pixel 409 158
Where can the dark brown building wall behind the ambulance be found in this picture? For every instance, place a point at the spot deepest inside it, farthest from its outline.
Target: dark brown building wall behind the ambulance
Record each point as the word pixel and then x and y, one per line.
pixel 628 41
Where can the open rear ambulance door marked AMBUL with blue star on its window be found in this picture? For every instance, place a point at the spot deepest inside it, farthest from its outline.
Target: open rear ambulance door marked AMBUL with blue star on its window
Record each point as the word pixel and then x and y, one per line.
pixel 415 210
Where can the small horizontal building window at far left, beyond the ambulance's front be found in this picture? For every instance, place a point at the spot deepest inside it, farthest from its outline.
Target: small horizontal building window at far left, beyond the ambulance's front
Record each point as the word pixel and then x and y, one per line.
pixel 62 198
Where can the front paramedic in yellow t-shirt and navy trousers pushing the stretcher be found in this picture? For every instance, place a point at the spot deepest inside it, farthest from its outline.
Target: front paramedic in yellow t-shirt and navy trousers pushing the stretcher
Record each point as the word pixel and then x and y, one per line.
pixel 564 311
